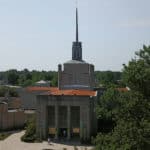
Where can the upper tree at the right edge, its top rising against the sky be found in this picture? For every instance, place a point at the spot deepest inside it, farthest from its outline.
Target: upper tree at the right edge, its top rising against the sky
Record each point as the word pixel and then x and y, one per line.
pixel 137 73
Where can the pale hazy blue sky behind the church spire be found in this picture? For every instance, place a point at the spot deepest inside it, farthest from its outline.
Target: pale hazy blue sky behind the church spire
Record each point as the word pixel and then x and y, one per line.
pixel 38 34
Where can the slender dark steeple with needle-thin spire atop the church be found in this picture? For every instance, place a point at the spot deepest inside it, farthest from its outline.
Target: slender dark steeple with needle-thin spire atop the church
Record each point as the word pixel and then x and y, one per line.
pixel 77 46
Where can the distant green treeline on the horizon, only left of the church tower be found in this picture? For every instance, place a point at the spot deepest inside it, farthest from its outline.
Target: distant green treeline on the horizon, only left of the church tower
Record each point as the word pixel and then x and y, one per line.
pixel 26 77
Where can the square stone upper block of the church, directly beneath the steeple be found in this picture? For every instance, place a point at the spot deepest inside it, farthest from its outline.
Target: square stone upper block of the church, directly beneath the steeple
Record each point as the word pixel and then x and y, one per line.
pixel 76 75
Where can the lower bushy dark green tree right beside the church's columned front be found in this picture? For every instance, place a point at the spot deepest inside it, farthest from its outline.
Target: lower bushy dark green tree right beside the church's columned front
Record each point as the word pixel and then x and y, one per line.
pixel 131 113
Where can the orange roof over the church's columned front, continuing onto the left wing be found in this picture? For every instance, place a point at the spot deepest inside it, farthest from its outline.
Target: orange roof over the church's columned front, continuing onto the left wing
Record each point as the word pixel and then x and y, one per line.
pixel 56 91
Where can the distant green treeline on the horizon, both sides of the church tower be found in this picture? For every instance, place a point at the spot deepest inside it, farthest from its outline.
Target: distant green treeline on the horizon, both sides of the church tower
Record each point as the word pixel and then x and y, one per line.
pixel 26 78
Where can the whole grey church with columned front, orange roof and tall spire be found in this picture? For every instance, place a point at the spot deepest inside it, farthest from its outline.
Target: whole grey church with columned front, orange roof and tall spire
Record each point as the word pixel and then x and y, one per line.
pixel 68 111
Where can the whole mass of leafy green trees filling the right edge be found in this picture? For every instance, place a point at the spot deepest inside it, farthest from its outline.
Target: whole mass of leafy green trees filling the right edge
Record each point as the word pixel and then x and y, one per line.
pixel 129 110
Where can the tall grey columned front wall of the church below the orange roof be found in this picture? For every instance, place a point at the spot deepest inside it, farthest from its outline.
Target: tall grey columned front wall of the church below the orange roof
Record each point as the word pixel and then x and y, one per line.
pixel 88 122
